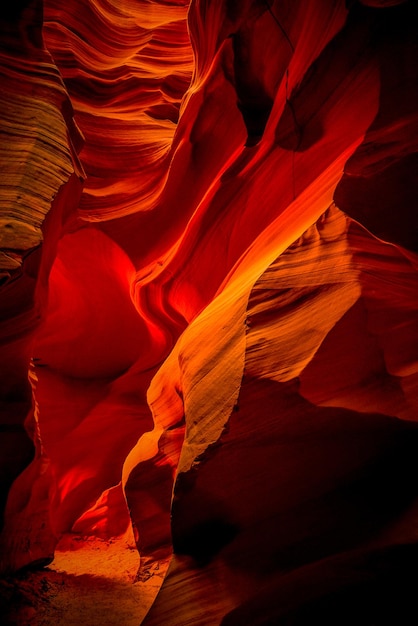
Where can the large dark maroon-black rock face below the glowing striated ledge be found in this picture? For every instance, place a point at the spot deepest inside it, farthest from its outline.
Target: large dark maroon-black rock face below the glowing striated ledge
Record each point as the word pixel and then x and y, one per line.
pixel 308 483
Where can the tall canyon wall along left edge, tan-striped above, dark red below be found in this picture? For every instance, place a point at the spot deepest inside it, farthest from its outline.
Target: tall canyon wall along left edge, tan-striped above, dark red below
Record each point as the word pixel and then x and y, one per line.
pixel 40 184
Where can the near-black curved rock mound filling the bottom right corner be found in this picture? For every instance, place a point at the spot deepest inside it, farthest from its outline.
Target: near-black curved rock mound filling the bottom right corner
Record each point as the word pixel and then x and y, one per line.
pixel 373 589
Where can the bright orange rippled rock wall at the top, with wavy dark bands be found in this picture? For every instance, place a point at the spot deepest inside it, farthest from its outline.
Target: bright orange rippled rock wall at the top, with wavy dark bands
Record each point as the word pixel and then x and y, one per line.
pixel 136 60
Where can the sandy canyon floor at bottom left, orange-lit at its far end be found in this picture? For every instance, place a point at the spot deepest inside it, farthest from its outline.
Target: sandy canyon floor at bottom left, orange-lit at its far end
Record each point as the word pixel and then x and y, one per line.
pixel 90 583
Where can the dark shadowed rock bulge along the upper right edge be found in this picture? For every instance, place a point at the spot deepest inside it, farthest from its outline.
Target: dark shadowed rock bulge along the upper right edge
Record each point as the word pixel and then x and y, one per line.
pixel 380 183
